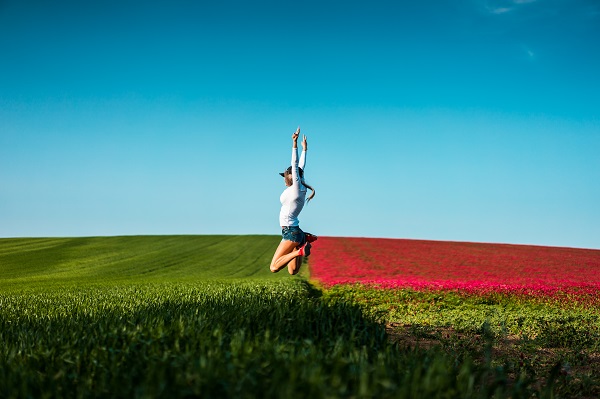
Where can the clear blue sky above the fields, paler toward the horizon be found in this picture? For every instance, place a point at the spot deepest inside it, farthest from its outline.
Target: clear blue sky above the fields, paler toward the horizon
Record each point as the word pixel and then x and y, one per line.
pixel 461 120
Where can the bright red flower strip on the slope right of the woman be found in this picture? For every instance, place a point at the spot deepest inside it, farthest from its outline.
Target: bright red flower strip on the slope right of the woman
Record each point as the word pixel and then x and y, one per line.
pixel 473 267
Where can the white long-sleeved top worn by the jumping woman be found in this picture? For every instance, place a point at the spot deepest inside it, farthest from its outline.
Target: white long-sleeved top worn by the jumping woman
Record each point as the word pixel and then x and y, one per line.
pixel 292 199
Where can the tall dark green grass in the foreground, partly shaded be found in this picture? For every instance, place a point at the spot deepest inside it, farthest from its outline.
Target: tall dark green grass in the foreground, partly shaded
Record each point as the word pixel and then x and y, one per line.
pixel 229 340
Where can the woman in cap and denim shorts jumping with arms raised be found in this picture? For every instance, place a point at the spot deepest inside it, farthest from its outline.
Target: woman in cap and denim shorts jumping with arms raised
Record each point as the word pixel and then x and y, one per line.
pixel 295 244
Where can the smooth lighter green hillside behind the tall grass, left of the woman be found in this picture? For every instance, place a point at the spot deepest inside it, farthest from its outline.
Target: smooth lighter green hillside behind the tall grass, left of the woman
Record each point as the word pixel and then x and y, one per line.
pixel 134 258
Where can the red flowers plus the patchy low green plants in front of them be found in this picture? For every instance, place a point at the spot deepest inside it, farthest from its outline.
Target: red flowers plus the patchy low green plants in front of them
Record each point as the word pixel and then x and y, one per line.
pixel 540 306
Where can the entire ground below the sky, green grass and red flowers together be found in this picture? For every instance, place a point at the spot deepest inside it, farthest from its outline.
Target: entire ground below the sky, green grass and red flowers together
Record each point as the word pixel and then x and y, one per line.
pixel 202 316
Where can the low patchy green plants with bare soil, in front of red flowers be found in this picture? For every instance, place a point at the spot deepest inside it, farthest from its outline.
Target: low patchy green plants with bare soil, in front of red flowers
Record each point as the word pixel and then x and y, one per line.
pixel 520 334
